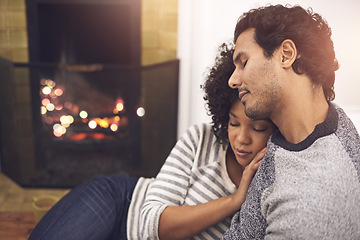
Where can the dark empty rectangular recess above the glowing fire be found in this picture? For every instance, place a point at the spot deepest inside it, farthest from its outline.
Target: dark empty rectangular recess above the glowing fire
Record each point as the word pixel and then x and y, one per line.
pixel 85 33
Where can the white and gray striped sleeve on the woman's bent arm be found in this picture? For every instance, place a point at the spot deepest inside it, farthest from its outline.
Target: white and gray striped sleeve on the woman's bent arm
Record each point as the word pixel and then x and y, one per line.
pixel 172 183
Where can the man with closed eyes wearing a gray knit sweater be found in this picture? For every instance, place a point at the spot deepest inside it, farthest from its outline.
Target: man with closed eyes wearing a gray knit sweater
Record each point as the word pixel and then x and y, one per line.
pixel 308 184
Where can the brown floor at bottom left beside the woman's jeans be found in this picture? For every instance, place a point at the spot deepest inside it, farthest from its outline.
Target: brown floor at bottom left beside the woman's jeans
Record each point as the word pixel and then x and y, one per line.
pixel 16 211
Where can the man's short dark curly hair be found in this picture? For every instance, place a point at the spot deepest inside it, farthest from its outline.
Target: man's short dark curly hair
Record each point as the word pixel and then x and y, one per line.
pixel 308 30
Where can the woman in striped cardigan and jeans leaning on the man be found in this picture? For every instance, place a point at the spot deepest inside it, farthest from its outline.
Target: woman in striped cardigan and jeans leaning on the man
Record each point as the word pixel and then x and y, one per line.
pixel 201 171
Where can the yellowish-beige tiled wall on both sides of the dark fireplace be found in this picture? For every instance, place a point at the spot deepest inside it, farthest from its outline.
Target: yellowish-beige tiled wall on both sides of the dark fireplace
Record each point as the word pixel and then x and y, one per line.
pixel 158 31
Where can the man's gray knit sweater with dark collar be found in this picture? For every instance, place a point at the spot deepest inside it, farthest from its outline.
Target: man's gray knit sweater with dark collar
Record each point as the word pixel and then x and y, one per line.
pixel 309 190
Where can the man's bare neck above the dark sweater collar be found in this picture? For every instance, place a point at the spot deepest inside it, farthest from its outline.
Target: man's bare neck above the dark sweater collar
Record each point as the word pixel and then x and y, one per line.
pixel 298 117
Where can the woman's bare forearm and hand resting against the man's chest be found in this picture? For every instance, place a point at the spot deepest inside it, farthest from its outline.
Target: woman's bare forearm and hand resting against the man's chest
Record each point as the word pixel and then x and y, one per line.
pixel 182 222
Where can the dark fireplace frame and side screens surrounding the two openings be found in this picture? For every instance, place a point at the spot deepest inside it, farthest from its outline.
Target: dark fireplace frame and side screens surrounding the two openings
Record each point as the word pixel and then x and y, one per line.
pixel 22 137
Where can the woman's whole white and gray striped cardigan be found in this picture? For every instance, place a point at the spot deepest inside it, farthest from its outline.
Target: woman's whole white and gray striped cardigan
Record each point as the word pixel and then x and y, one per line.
pixel 194 173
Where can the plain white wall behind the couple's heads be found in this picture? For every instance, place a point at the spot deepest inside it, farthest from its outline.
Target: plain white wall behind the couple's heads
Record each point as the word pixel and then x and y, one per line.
pixel 205 24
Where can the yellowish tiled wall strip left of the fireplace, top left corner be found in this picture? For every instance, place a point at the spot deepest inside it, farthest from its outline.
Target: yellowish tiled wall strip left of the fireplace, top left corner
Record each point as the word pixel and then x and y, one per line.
pixel 13 33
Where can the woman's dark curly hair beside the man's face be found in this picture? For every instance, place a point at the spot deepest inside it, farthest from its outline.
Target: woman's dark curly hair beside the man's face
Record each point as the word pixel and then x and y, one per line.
pixel 218 95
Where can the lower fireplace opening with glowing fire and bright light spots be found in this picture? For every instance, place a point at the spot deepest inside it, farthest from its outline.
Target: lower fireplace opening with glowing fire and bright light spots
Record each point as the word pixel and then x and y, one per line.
pixel 88 122
